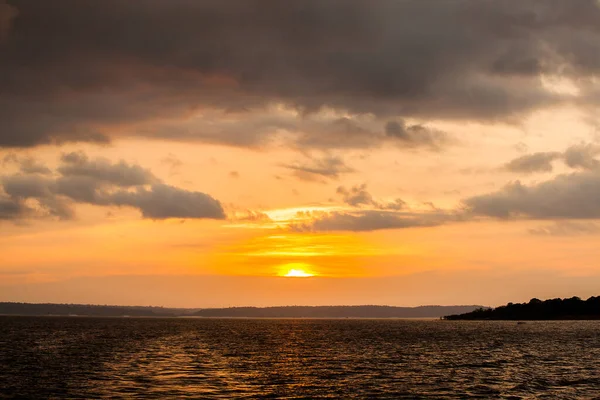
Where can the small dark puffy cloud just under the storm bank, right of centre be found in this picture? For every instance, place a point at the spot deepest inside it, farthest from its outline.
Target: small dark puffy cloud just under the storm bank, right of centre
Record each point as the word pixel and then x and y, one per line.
pixel 414 136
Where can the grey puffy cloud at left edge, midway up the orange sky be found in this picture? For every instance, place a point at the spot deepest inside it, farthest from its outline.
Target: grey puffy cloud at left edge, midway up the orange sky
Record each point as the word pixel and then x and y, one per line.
pixel 99 182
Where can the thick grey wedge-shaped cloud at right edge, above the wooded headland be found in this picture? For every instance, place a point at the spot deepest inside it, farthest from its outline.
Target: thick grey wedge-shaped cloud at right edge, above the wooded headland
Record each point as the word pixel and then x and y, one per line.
pixel 568 196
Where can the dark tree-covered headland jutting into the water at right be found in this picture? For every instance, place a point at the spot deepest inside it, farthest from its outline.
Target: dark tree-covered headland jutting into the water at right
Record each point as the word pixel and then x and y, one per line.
pixel 553 309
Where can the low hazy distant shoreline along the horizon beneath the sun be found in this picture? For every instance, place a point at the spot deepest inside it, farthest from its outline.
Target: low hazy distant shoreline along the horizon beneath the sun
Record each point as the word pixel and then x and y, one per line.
pixel 367 311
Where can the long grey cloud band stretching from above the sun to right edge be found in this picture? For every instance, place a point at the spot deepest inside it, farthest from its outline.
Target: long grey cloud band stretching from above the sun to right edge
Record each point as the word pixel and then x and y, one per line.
pixel 572 196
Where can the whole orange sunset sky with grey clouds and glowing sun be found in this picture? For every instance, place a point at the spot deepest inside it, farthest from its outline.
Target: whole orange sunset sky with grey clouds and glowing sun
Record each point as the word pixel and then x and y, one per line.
pixel 403 152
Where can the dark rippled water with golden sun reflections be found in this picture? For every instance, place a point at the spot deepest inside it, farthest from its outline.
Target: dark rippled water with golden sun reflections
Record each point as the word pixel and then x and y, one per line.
pixel 199 358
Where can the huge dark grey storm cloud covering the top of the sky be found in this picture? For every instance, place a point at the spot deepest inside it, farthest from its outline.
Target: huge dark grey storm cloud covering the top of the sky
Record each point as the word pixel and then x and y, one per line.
pixel 74 70
